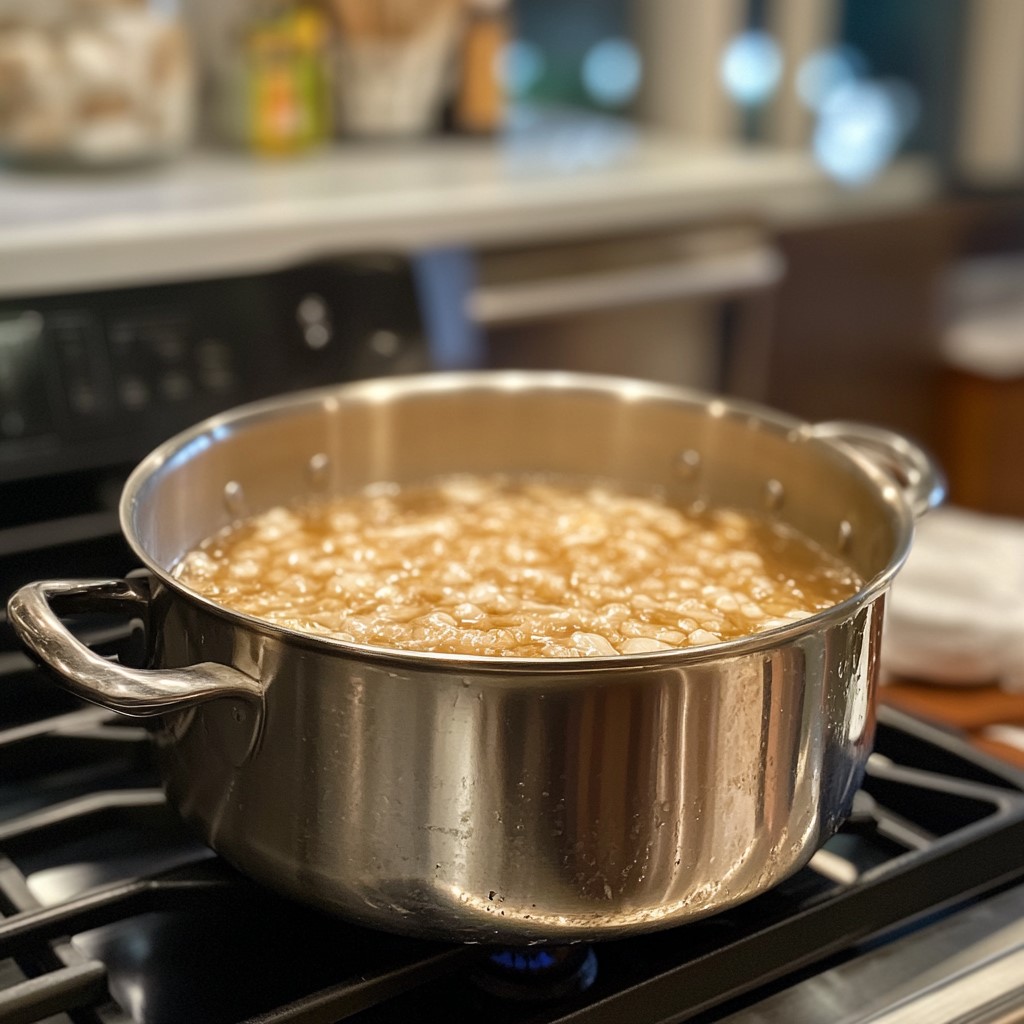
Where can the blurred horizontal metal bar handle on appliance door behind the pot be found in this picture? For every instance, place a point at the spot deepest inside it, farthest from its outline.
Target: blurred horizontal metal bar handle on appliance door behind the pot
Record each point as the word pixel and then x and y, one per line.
pixel 749 270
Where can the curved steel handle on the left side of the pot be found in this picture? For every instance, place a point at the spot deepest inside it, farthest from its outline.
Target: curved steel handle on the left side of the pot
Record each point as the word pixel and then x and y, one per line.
pixel 140 693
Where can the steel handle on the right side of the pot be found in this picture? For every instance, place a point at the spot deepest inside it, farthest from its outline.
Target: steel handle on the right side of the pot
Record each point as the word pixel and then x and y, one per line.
pixel 919 476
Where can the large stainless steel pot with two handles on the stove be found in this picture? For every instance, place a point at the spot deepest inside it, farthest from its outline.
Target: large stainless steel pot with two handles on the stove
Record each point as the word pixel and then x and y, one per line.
pixel 487 799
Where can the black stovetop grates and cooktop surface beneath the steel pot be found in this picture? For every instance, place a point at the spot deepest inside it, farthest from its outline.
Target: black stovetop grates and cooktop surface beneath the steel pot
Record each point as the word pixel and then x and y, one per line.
pixel 164 932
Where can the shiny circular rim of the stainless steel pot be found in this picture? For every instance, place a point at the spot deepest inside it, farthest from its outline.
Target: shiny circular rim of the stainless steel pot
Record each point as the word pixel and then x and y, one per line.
pixel 200 437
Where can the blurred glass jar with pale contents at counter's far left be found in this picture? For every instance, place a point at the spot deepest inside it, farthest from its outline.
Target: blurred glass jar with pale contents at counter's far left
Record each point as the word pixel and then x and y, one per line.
pixel 94 82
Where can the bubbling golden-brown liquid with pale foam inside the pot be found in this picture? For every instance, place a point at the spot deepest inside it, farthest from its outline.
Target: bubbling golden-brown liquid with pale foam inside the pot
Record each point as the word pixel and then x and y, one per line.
pixel 516 568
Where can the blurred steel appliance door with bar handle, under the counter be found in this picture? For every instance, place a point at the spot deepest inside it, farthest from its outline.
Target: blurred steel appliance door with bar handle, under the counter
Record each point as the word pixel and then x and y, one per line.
pixel 688 306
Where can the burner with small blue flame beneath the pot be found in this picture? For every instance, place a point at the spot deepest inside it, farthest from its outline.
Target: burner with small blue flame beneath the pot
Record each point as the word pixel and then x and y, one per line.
pixel 538 973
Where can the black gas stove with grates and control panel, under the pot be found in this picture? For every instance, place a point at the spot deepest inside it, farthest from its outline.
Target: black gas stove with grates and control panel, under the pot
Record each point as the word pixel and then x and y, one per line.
pixel 115 913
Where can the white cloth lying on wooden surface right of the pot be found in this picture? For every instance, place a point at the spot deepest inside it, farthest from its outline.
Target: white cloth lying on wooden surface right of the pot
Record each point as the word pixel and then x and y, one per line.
pixel 956 614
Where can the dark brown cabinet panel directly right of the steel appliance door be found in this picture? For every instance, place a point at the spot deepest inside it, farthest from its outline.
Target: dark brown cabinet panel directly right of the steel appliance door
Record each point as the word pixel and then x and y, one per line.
pixel 857 323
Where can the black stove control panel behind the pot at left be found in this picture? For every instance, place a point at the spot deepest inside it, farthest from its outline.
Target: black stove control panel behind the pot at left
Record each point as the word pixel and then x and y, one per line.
pixel 101 378
